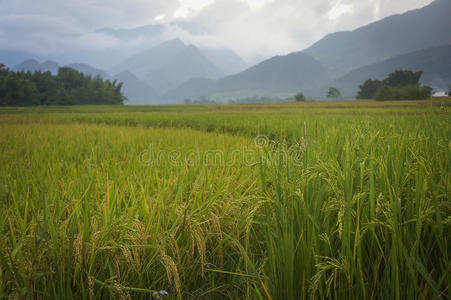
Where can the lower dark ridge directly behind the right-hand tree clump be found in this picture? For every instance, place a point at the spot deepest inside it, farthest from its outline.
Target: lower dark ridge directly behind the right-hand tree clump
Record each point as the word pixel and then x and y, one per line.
pixel 434 62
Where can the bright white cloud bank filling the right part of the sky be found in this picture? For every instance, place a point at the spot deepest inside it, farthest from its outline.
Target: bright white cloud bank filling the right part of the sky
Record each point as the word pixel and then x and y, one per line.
pixel 261 28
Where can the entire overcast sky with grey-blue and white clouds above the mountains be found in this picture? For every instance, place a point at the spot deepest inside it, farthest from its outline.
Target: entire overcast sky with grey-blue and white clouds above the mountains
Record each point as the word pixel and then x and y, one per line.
pixel 253 28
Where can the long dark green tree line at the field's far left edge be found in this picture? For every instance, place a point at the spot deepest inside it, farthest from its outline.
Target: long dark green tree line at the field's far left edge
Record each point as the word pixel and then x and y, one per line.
pixel 68 87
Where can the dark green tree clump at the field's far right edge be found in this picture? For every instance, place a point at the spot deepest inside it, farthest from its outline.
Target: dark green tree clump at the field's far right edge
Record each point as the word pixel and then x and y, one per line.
pixel 399 85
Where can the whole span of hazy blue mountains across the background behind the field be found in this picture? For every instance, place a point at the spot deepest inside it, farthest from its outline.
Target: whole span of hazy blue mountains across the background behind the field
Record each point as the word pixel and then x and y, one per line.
pixel 171 70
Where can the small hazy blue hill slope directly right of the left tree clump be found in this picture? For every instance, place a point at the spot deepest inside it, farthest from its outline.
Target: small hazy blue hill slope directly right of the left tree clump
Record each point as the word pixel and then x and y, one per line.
pixel 136 91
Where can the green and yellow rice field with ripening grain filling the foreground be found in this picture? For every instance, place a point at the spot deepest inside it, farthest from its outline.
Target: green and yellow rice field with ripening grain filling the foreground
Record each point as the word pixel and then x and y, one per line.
pixel 288 201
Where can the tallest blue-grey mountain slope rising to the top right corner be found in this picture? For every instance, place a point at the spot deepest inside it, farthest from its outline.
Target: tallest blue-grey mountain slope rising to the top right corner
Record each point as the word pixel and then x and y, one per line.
pixel 418 29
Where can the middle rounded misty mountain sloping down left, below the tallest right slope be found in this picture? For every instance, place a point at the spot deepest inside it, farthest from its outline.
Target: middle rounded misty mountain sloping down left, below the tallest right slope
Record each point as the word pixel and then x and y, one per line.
pixel 277 76
